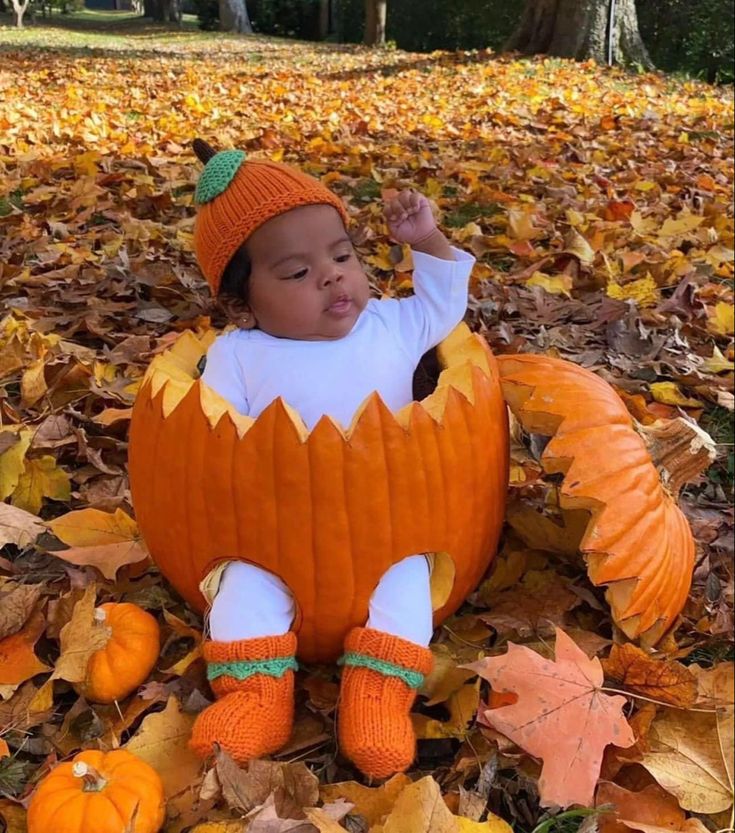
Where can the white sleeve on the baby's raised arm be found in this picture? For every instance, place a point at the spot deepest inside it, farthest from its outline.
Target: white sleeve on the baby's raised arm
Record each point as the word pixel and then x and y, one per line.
pixel 439 301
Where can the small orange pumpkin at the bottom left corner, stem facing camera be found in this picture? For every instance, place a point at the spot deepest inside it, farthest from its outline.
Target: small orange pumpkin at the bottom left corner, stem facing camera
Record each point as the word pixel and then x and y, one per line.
pixel 99 792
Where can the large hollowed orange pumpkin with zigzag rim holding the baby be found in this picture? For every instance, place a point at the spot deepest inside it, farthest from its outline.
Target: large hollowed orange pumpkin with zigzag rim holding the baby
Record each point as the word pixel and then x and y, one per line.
pixel 209 484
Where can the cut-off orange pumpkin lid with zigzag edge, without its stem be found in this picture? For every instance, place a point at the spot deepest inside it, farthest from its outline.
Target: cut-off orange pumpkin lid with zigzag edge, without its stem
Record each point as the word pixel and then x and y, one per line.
pixel 637 540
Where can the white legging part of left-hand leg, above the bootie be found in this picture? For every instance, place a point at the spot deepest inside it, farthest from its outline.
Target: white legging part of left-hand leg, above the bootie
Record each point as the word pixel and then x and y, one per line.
pixel 250 602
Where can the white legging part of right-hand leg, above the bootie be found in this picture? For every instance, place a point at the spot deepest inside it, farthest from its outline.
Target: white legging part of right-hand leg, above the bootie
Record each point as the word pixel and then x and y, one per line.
pixel 401 603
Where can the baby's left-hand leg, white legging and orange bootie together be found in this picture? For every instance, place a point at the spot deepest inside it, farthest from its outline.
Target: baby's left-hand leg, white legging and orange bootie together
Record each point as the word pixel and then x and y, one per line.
pixel 250 665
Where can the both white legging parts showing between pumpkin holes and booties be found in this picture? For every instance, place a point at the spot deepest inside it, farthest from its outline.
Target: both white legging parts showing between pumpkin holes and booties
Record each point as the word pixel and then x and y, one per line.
pixel 252 602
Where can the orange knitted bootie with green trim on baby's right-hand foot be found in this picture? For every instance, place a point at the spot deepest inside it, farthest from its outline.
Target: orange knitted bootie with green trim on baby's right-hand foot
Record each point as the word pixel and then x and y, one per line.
pixel 379 682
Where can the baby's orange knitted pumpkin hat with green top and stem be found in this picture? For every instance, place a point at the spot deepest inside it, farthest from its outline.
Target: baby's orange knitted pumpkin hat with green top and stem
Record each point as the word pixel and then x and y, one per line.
pixel 234 197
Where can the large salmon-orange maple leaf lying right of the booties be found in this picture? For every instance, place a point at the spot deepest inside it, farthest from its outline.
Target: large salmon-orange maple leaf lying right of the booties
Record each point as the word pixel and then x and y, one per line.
pixel 561 716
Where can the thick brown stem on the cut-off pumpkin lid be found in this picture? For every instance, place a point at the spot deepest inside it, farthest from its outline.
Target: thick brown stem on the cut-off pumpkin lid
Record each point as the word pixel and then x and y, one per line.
pixel 680 450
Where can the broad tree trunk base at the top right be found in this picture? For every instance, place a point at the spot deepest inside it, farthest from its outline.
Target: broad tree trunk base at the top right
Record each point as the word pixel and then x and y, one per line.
pixel 581 29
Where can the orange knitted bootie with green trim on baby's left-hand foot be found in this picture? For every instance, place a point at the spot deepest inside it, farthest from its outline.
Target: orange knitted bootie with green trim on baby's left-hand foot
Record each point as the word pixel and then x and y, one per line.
pixel 253 681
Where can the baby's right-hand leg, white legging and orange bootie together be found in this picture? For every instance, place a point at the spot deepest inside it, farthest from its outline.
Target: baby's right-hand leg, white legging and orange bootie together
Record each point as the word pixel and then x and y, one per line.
pixel 385 663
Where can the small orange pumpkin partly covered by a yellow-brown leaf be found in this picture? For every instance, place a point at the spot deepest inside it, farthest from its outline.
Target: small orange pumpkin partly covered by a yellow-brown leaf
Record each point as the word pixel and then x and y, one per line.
pixel 127 659
